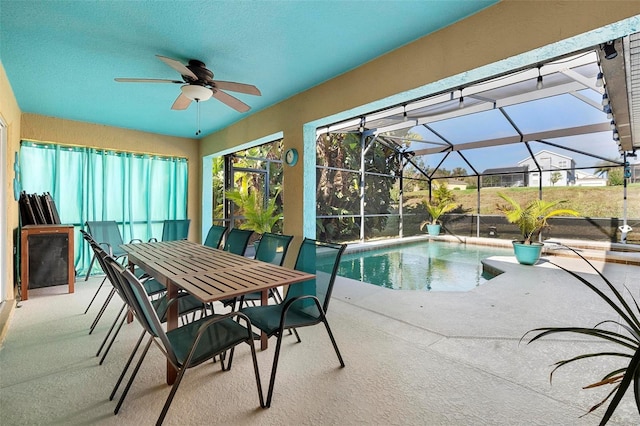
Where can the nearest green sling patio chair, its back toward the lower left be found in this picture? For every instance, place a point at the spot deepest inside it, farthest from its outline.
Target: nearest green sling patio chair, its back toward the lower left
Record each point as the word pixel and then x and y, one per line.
pixel 187 346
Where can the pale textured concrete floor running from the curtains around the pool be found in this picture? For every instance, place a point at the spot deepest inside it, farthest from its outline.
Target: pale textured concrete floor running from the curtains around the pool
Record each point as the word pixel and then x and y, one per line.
pixel 411 358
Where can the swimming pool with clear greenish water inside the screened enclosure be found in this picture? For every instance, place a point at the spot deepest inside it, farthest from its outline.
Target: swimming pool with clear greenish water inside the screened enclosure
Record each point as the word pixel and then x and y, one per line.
pixel 427 266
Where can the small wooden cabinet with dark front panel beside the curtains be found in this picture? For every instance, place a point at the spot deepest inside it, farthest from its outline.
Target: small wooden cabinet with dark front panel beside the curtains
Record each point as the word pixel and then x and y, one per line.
pixel 46 257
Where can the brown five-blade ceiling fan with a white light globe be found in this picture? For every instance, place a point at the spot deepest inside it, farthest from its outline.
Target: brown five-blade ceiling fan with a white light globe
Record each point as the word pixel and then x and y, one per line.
pixel 198 85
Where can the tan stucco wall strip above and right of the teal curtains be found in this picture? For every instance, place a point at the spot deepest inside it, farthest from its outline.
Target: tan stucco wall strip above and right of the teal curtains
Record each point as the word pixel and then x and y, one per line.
pixel 49 129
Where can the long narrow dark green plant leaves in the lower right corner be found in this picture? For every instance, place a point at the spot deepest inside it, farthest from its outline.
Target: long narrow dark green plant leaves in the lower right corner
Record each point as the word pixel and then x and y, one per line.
pixel 620 378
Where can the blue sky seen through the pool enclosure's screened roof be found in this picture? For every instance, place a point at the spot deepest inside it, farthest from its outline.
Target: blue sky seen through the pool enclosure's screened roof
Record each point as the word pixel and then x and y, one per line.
pixel 542 115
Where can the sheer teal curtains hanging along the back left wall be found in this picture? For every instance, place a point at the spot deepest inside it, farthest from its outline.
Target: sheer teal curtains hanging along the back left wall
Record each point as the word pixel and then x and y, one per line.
pixel 138 191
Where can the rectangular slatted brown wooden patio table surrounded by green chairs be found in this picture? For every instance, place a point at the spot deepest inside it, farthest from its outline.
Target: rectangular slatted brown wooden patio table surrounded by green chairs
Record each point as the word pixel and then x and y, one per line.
pixel 208 274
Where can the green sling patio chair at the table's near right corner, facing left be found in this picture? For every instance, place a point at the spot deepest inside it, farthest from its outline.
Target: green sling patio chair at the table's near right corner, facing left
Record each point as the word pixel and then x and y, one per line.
pixel 306 303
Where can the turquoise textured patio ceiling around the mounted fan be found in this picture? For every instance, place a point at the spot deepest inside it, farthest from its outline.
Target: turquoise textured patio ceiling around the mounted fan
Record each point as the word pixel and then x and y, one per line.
pixel 61 57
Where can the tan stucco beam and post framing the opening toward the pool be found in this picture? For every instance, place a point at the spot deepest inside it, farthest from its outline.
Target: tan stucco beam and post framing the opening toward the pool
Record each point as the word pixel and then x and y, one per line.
pixel 502 31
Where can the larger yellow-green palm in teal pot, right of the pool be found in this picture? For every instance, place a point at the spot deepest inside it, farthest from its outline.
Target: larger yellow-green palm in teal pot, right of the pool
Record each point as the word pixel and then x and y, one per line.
pixel 531 220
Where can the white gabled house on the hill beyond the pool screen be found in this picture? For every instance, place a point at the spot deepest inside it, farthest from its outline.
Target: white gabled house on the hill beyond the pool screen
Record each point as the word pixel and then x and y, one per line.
pixel 552 165
